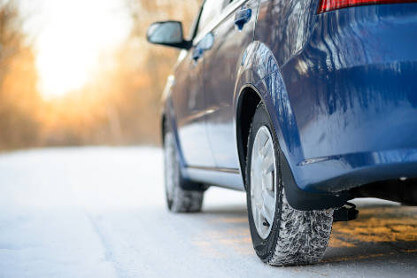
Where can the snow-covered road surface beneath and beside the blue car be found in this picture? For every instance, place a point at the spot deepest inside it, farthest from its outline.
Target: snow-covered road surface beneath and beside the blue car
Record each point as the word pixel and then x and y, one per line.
pixel 100 212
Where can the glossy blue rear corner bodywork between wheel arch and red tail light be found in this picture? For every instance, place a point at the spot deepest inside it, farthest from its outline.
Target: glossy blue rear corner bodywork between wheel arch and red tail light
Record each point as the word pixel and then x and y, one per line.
pixel 351 86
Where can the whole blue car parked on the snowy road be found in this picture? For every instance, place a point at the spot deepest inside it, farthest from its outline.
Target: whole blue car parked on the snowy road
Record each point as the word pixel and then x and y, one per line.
pixel 303 104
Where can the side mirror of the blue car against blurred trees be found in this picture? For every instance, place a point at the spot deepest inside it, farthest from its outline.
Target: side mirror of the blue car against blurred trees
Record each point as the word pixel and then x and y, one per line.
pixel 168 33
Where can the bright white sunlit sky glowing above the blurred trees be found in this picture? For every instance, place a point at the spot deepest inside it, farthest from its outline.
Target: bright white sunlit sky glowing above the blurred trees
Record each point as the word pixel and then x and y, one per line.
pixel 69 36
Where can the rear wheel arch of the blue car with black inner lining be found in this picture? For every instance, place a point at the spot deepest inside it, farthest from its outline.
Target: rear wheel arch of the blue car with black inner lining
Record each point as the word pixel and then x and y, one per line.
pixel 260 79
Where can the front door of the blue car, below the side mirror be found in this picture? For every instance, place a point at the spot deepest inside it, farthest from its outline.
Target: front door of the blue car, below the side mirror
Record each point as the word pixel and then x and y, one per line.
pixel 189 107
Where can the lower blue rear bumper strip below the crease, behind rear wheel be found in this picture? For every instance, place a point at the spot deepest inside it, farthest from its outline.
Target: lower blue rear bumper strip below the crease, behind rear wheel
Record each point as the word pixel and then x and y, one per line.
pixel 343 172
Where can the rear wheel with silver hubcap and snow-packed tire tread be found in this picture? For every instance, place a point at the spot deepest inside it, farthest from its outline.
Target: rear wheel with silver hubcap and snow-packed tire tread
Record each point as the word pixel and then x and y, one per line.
pixel 294 237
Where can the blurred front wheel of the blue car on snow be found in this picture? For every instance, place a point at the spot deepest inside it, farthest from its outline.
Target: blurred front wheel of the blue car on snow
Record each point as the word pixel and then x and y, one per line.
pixel 181 195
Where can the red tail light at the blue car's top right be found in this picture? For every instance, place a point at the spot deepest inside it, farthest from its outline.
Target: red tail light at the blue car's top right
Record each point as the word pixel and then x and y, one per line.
pixel 330 5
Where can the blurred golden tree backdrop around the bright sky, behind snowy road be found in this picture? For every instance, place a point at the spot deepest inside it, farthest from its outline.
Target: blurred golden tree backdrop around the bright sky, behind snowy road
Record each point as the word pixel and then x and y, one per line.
pixel 119 106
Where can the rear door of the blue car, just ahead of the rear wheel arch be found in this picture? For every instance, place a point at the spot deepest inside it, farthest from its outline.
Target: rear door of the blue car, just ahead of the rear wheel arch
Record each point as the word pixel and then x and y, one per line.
pixel 233 32
